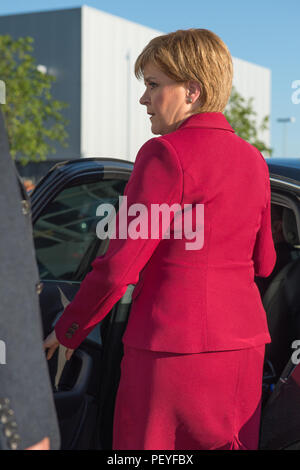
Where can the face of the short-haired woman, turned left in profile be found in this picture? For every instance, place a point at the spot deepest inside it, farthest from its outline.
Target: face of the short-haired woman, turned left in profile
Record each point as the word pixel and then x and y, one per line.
pixel 166 100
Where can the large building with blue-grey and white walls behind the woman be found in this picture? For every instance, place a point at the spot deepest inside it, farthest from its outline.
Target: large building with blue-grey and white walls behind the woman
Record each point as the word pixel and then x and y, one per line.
pixel 92 56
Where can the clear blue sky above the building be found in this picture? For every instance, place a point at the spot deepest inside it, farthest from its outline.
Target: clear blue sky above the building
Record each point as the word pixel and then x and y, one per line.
pixel 265 32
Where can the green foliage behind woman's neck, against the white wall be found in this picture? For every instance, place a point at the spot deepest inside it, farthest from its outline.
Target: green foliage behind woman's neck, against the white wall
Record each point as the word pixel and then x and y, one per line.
pixel 242 117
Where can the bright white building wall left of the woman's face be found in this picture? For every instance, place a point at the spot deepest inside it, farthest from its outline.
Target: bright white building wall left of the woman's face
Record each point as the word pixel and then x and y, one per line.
pixel 113 123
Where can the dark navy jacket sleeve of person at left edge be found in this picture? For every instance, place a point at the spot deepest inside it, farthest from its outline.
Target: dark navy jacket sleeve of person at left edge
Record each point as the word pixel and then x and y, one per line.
pixel 27 409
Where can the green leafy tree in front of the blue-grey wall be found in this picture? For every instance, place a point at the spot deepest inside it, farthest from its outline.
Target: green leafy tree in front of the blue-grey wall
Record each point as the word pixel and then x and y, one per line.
pixel 33 118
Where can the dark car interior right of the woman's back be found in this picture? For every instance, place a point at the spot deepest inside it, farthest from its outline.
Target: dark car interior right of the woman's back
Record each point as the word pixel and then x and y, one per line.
pixel 280 291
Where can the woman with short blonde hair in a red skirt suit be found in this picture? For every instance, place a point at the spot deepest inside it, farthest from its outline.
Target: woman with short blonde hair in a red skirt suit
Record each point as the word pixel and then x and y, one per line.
pixel 194 344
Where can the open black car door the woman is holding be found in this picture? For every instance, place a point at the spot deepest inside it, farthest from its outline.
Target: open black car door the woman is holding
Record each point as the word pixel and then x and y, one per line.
pixel 64 220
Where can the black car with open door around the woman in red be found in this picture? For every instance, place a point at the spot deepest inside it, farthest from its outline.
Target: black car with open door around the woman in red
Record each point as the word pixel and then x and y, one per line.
pixel 64 205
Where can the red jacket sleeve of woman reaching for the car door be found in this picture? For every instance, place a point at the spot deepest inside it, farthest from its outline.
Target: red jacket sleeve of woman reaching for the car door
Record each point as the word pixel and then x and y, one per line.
pixel 156 179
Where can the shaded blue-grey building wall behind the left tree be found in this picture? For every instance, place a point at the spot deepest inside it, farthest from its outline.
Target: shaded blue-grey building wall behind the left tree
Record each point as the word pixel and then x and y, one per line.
pixel 57 46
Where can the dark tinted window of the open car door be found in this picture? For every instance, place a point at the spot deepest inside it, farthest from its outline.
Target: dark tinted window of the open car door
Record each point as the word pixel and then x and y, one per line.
pixel 65 234
